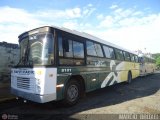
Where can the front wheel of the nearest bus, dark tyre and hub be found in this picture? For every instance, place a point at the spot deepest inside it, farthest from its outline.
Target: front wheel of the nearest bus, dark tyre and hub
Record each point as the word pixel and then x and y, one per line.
pixel 72 93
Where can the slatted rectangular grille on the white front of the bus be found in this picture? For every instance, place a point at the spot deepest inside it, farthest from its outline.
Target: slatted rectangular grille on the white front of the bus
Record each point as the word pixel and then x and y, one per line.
pixel 23 83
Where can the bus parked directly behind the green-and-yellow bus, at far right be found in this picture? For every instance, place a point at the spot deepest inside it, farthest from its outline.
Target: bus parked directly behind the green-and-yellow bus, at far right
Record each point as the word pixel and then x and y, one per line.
pixel 147 64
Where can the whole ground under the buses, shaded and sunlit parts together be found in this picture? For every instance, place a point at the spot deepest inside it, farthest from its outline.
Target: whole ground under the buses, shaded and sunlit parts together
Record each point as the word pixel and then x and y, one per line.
pixel 142 96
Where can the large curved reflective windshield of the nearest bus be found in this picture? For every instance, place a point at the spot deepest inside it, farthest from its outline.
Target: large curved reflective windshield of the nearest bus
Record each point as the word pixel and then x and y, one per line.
pixel 37 49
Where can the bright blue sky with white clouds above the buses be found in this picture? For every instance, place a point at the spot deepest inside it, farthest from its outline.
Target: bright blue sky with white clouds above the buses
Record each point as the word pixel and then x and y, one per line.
pixel 131 24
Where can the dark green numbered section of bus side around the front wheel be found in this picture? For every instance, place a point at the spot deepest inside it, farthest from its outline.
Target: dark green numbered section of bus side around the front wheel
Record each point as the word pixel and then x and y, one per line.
pixel 90 75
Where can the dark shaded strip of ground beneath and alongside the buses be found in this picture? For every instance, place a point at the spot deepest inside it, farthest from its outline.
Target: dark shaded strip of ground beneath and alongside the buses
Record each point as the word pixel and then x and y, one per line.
pixel 116 94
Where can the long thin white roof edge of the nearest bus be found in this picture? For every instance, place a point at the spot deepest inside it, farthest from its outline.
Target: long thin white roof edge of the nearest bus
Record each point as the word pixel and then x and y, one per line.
pixel 86 35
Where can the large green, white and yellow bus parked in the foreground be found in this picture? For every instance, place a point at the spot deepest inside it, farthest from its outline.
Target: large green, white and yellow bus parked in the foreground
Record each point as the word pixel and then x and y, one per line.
pixel 62 64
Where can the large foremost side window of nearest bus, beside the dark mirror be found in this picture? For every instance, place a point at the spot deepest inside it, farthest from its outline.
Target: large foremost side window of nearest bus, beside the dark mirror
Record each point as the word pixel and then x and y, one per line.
pixel 71 52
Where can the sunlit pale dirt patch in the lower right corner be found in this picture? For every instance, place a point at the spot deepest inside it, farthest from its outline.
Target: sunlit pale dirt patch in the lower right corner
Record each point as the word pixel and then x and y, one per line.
pixel 149 104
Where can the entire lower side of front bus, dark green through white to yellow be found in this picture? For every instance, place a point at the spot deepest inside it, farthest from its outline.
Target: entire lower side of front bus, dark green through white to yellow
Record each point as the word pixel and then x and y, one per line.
pixel 100 73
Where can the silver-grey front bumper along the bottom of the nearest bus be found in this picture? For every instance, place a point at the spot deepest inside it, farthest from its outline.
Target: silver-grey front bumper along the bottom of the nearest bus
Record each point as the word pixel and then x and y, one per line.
pixel 34 97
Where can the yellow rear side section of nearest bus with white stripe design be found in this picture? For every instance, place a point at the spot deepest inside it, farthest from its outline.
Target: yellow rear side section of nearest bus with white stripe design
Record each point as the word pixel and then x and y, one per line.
pixel 119 72
